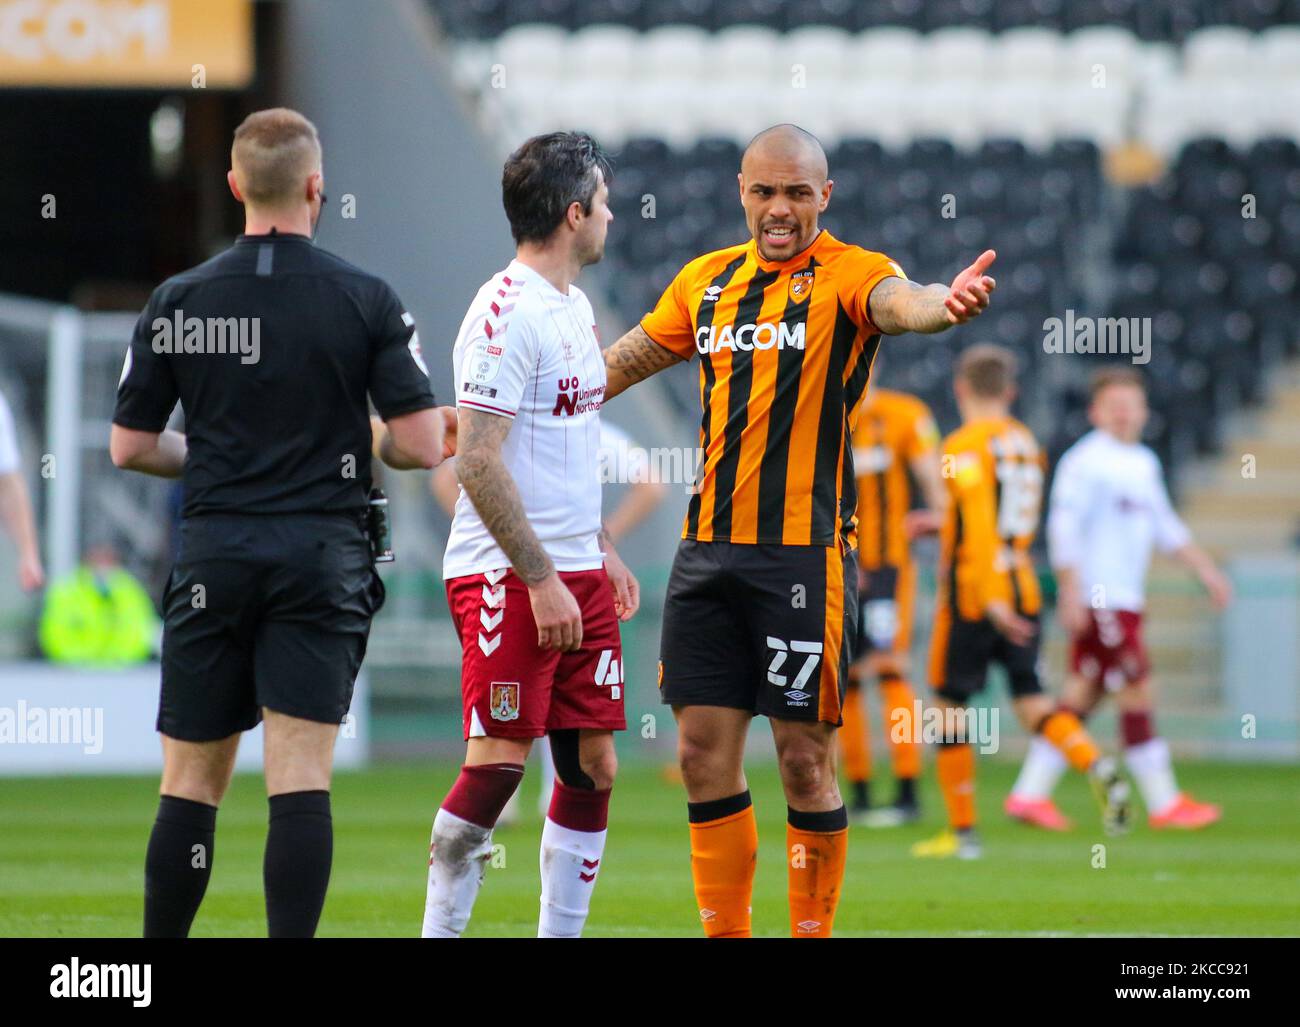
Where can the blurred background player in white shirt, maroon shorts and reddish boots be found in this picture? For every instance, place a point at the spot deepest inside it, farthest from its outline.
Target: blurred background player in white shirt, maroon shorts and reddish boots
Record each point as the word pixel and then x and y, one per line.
pixel 1110 506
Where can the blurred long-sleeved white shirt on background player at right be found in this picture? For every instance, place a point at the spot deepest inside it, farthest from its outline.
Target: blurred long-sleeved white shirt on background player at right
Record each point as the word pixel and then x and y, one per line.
pixel 1108 509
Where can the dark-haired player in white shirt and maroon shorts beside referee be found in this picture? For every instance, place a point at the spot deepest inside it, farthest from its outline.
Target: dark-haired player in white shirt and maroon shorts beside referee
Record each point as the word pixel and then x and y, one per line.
pixel 535 587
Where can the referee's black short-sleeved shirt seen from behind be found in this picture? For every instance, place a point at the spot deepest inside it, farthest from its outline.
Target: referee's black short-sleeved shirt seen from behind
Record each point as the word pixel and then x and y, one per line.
pixel 271 349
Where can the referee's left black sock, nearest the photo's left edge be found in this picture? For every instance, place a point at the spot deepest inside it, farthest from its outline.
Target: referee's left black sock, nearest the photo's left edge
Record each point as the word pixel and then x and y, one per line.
pixel 177 865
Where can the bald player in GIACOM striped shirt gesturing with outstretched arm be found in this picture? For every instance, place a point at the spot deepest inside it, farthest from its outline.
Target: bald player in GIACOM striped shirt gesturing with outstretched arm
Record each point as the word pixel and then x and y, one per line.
pixel 761 609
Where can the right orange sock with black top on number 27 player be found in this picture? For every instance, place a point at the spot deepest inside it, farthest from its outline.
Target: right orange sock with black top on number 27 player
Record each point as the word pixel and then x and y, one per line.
pixel 817 846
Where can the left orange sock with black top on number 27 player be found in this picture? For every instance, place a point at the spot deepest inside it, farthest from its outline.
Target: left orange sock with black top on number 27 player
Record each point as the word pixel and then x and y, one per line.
pixel 723 851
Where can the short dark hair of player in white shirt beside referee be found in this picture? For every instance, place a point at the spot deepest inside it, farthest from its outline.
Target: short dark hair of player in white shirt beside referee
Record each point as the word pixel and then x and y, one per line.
pixel 545 176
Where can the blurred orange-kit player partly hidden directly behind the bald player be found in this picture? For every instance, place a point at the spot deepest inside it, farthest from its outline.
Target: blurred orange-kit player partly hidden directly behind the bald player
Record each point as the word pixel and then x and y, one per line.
pixel 895 445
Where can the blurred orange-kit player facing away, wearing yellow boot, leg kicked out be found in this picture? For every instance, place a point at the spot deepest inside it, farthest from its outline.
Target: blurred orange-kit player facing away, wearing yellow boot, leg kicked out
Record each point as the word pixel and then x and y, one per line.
pixel 989 601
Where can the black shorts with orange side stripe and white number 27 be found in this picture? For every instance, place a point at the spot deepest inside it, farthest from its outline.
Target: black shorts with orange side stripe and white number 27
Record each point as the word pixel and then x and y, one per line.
pixel 760 627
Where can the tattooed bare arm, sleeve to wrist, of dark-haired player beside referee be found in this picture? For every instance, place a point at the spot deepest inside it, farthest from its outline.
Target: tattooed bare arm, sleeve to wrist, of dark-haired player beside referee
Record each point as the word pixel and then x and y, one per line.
pixel 493 492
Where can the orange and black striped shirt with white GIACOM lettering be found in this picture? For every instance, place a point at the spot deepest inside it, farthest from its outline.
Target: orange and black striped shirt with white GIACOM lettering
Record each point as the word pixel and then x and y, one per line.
pixel 786 349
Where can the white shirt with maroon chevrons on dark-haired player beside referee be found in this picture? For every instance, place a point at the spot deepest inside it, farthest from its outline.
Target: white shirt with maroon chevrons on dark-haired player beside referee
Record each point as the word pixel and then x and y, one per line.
pixel 530 353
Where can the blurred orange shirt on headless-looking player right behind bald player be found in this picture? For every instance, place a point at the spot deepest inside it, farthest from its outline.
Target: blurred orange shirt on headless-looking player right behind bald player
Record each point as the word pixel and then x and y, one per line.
pixel 895 430
